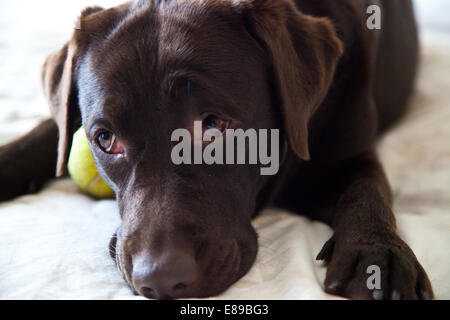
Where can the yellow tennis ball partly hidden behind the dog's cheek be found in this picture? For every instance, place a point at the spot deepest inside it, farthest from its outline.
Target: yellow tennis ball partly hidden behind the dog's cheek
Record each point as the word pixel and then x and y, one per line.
pixel 82 168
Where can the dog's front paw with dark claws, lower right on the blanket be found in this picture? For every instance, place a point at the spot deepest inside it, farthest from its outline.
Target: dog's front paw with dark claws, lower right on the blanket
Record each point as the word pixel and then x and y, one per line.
pixel 376 269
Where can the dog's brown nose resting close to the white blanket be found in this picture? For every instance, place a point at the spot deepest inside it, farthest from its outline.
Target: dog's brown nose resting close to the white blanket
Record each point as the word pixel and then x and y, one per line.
pixel 166 277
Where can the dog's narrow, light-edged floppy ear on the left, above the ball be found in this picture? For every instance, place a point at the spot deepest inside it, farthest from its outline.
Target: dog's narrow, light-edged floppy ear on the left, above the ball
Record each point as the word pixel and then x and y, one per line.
pixel 58 80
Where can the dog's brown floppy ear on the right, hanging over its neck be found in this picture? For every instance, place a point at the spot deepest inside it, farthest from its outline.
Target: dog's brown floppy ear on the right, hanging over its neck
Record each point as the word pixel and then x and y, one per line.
pixel 304 52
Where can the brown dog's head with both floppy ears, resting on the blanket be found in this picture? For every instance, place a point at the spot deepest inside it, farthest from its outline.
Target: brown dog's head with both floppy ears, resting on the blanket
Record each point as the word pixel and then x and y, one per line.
pixel 135 73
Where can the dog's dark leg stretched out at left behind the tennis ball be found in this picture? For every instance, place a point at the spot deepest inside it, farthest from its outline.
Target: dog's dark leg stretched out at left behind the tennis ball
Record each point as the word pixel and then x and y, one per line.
pixel 28 162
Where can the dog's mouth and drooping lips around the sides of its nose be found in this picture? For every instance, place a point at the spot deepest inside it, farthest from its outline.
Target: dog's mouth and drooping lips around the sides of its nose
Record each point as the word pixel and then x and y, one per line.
pixel 219 268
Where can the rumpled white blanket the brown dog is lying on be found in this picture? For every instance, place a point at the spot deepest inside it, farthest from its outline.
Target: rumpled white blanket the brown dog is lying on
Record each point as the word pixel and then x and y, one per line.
pixel 54 245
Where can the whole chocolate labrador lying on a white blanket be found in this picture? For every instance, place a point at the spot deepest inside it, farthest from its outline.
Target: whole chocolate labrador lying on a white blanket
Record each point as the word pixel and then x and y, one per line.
pixel 134 73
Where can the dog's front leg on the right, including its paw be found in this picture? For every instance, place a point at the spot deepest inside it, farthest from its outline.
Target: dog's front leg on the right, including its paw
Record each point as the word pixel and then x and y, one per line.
pixel 365 238
